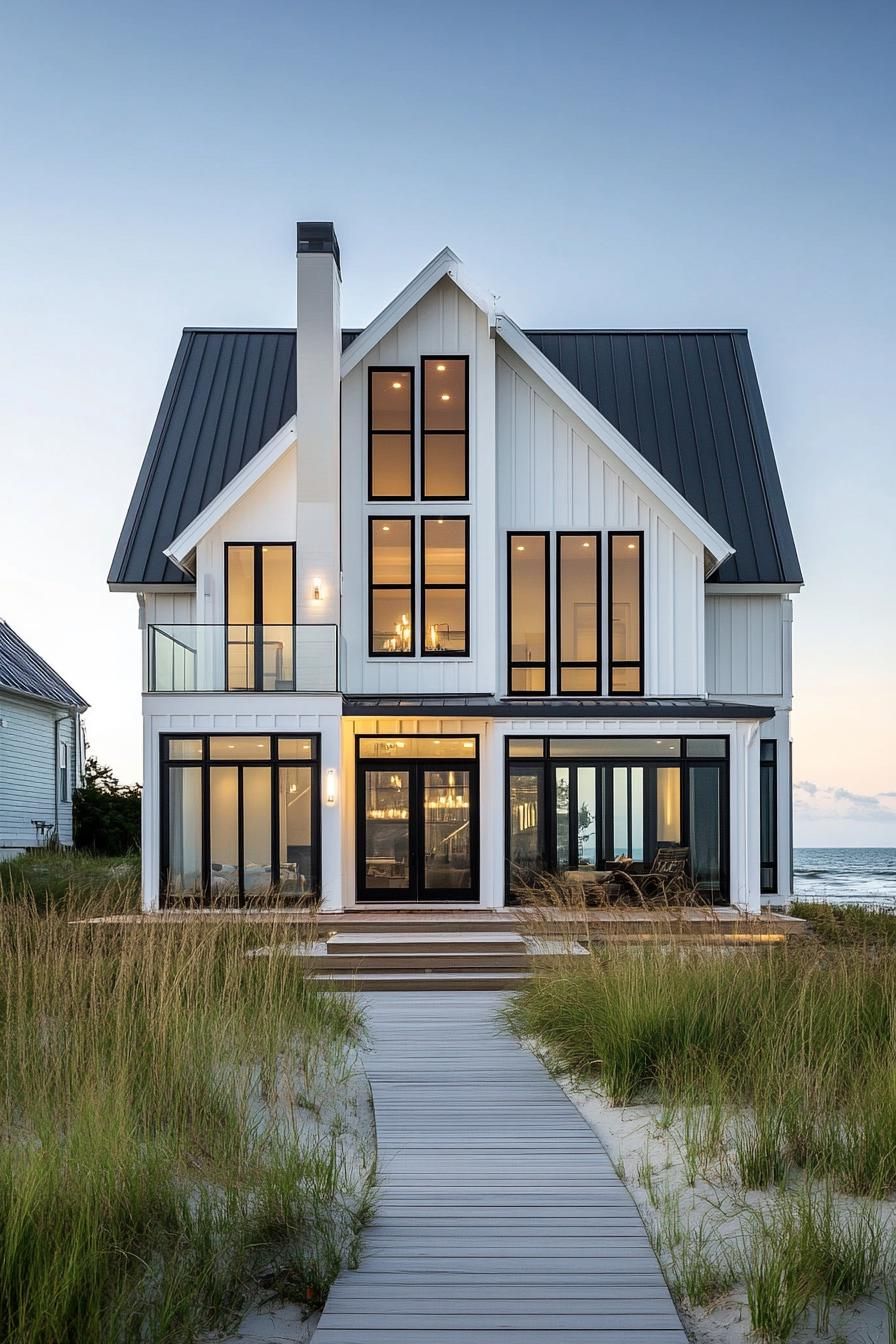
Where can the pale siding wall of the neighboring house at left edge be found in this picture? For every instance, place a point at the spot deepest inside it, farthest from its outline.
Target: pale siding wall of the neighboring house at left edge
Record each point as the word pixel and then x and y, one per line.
pixel 30 772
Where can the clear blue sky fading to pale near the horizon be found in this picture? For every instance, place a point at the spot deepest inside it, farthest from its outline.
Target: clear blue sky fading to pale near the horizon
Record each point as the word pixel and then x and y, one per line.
pixel 594 165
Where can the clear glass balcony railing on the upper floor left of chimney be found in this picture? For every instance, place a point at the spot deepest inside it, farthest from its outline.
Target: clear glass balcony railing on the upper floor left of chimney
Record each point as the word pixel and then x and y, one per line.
pixel 242 658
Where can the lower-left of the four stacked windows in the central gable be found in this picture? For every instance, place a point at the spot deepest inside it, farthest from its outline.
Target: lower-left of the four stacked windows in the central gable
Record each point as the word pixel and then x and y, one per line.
pixel 392 593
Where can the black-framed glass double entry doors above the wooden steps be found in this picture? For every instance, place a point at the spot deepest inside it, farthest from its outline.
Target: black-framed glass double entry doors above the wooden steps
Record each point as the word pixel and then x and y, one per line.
pixel 418 830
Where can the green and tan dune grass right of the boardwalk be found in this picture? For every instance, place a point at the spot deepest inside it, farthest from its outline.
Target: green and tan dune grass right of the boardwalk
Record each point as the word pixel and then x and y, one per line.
pixel 778 1068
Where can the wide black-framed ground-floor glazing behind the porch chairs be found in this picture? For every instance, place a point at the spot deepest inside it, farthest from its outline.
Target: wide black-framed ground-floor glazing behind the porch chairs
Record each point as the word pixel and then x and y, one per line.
pixel 586 803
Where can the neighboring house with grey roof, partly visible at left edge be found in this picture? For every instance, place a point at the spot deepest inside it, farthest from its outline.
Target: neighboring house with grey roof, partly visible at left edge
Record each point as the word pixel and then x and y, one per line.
pixel 41 748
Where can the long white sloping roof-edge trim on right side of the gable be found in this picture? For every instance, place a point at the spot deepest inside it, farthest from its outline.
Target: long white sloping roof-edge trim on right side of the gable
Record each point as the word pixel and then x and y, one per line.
pixel 717 548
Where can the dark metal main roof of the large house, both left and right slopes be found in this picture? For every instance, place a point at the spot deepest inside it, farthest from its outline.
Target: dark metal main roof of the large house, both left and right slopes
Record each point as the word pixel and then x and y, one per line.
pixel 688 401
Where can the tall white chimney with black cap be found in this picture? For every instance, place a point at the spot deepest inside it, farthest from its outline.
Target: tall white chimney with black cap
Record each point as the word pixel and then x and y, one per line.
pixel 319 349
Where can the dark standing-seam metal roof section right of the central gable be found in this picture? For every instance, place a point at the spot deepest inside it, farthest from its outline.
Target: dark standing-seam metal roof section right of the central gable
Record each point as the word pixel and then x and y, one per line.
pixel 690 403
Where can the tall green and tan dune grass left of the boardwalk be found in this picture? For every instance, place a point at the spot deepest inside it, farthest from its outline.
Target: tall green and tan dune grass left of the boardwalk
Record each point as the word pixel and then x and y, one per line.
pixel 177 1127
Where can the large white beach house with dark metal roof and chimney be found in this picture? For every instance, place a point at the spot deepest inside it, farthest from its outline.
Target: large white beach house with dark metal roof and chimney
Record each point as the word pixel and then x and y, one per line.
pixel 439 604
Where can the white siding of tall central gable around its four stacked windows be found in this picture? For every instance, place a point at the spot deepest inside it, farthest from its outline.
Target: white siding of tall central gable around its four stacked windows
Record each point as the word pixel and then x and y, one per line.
pixel 444 323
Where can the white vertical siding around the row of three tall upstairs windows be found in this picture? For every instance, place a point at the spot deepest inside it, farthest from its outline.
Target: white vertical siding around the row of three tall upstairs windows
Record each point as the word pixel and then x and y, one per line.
pixel 555 475
